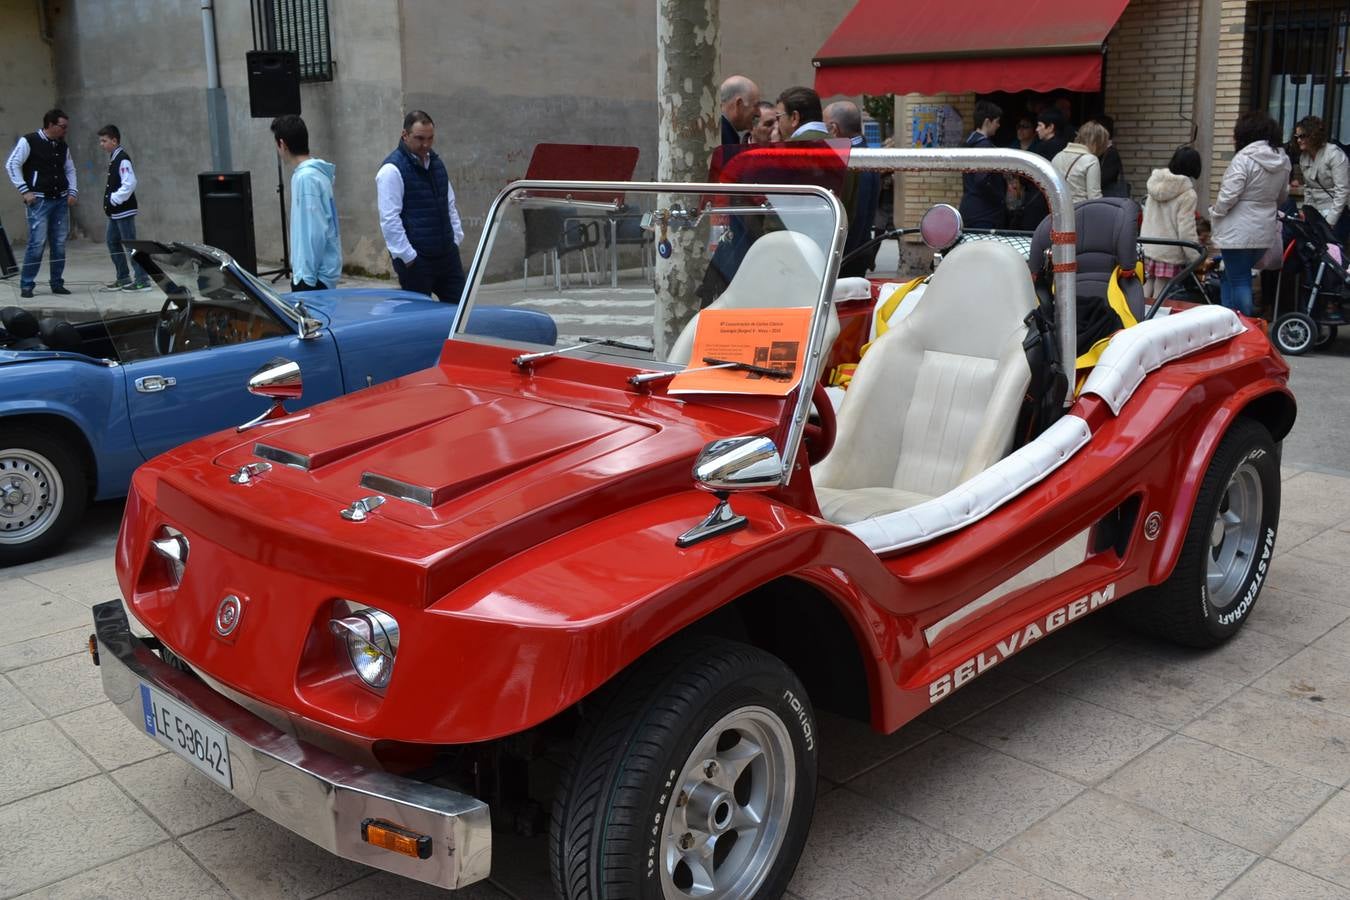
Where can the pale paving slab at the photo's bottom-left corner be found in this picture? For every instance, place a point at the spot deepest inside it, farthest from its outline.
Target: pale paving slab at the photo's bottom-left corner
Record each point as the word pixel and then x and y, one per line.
pixel 83 825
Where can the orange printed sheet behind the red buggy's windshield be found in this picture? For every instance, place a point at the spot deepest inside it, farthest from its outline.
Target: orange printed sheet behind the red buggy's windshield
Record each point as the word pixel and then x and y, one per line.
pixel 772 341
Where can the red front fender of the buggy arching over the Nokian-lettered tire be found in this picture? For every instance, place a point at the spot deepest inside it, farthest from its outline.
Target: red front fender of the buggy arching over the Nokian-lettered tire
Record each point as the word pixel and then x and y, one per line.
pixel 545 629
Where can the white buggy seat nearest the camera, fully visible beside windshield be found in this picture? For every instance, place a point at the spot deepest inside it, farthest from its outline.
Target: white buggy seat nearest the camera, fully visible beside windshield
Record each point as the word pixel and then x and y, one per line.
pixel 936 400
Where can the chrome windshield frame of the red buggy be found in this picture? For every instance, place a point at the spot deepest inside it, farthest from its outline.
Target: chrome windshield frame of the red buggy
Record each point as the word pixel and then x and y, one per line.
pixel 815 349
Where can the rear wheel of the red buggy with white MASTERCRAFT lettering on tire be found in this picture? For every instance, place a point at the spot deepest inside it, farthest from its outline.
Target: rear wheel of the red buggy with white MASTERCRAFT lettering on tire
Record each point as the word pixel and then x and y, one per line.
pixel 1213 589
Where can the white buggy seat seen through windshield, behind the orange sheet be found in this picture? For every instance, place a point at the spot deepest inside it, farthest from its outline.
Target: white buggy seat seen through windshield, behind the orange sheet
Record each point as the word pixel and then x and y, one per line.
pixel 781 269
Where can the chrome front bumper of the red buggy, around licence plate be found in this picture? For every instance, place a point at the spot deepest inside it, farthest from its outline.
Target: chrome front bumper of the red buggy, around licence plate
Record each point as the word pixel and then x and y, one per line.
pixel 318 795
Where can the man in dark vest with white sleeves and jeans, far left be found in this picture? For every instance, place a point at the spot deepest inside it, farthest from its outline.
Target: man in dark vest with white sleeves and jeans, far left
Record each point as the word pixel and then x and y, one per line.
pixel 44 175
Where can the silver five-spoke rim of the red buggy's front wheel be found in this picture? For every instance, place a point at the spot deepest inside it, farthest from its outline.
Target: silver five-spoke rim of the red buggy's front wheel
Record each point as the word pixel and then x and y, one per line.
pixel 730 809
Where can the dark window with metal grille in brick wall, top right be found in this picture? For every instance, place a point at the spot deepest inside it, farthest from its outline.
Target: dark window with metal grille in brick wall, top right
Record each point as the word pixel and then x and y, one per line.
pixel 1298 63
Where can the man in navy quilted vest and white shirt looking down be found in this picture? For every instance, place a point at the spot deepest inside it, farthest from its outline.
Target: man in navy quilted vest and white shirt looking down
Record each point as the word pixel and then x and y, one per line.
pixel 418 214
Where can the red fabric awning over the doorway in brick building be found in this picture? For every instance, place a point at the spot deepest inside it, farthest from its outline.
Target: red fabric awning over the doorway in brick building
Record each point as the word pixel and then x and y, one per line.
pixel 959 47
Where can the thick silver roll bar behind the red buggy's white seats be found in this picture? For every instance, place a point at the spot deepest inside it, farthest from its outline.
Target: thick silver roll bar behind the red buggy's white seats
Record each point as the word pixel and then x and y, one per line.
pixel 1063 229
